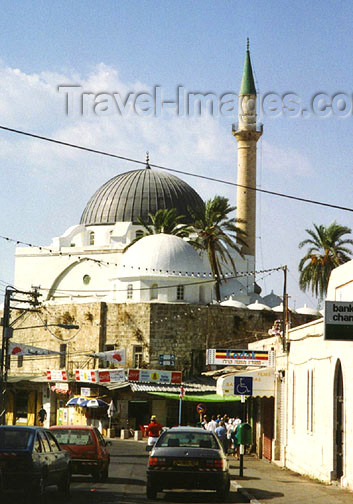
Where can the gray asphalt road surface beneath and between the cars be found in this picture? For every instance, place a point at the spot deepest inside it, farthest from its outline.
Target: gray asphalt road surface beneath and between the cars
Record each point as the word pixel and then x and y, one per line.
pixel 126 484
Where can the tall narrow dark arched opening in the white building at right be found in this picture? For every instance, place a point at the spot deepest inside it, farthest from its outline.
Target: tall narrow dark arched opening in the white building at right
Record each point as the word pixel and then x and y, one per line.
pixel 338 422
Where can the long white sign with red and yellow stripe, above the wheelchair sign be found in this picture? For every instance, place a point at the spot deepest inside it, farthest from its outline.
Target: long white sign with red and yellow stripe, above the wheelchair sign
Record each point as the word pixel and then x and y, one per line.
pixel 236 357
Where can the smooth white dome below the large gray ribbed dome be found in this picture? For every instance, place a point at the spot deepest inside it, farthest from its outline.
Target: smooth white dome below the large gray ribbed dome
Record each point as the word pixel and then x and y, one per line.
pixel 162 255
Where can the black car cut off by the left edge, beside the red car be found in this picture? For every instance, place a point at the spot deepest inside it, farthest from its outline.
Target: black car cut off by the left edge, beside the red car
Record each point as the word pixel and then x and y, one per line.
pixel 31 459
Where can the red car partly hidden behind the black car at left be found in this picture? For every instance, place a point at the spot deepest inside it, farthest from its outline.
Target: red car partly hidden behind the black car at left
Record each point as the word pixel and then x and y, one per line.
pixel 87 447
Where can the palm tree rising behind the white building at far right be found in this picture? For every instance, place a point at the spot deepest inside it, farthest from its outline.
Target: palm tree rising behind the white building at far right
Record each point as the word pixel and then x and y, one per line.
pixel 327 250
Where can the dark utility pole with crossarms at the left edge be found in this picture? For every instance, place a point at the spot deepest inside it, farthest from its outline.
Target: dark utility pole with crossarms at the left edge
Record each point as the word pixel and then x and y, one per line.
pixel 7 334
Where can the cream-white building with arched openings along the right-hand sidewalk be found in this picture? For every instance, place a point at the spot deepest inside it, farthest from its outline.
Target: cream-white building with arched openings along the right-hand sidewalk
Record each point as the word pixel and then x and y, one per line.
pixel 313 399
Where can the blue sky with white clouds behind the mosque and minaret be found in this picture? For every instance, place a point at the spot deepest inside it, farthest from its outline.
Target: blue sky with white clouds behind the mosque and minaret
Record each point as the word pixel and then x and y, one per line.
pixel 125 46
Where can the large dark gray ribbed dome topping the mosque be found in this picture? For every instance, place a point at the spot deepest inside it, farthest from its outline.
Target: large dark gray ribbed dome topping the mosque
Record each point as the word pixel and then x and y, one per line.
pixel 136 193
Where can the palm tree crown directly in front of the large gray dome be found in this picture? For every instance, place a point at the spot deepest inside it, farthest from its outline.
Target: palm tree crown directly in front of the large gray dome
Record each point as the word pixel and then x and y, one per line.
pixel 163 221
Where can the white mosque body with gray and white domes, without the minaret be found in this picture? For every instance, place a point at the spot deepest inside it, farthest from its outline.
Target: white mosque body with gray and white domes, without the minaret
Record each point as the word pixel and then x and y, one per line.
pixel 87 263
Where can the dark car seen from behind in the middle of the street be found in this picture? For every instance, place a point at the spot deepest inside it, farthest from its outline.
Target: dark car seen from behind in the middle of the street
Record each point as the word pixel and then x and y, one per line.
pixel 187 458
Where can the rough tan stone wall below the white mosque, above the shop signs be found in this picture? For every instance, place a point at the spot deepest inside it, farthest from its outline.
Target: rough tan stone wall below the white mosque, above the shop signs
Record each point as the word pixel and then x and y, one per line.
pixel 170 328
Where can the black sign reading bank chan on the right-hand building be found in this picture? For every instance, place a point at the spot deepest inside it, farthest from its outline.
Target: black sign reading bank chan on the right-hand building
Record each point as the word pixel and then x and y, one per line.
pixel 339 320
